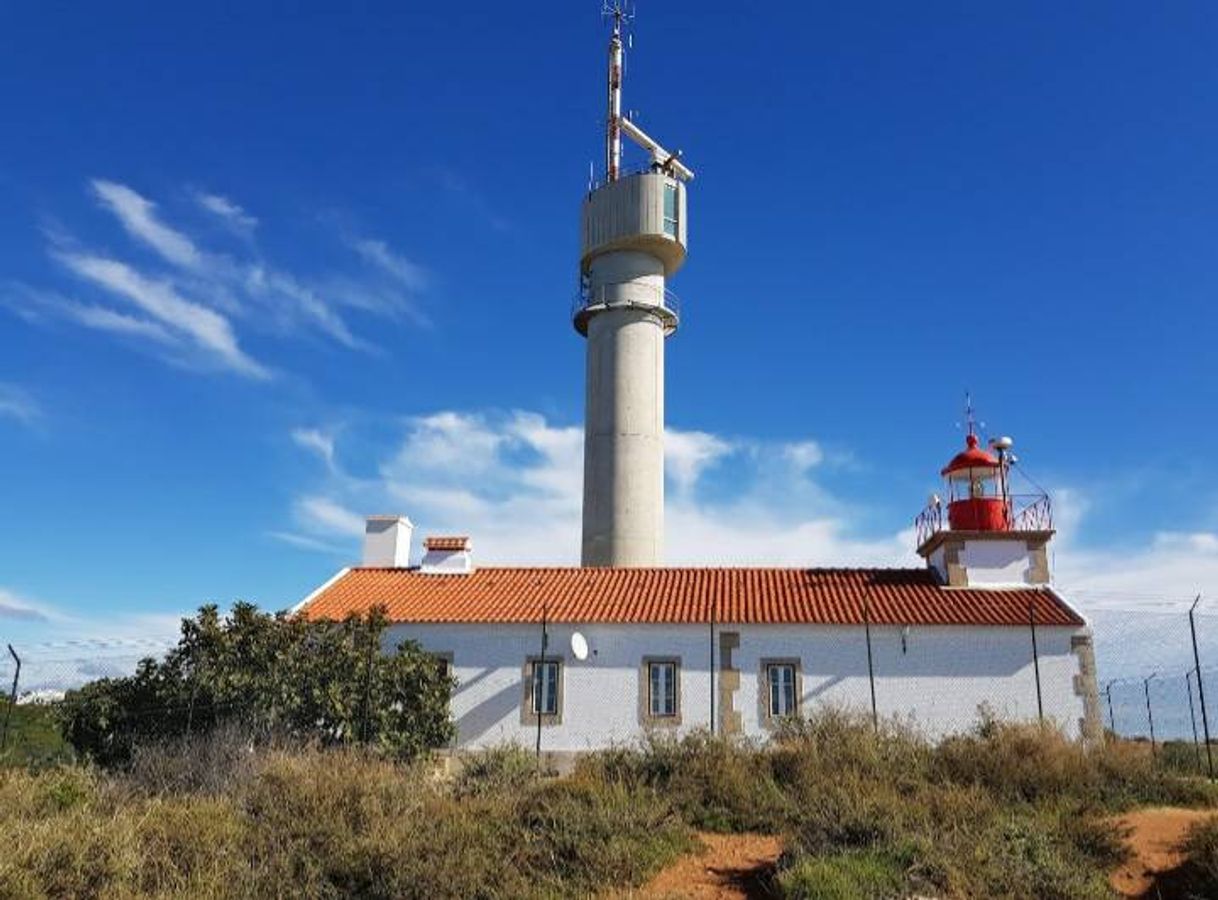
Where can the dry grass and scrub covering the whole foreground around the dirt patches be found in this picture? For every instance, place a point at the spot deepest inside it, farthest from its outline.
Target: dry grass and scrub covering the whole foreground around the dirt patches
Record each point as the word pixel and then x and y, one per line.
pixel 1012 812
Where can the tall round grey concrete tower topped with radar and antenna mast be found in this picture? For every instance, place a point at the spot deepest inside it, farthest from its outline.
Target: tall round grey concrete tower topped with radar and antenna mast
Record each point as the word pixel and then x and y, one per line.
pixel 634 241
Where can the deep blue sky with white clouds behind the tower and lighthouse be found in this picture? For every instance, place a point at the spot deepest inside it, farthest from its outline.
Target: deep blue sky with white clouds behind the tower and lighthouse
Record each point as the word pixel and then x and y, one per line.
pixel 266 272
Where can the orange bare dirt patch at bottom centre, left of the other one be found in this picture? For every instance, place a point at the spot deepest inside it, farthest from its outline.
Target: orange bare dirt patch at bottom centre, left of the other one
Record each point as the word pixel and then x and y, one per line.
pixel 733 868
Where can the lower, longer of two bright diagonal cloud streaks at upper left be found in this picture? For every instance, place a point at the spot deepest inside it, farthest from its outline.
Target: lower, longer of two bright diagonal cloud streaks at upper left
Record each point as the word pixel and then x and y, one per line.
pixel 208 329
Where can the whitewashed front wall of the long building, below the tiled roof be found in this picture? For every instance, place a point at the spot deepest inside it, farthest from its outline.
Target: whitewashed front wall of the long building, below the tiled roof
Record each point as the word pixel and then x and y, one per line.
pixel 938 681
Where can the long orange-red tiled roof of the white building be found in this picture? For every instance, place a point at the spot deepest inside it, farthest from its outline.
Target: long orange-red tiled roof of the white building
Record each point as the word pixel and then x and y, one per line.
pixel 742 596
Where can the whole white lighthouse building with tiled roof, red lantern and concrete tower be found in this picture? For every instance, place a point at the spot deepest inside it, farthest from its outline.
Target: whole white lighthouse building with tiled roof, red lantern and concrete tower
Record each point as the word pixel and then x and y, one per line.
pixel 574 659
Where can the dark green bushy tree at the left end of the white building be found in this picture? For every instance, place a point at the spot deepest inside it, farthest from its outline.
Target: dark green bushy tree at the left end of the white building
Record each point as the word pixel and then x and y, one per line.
pixel 271 674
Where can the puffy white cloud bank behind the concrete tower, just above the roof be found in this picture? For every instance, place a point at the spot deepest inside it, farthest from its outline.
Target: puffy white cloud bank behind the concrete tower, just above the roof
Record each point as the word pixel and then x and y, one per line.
pixel 515 482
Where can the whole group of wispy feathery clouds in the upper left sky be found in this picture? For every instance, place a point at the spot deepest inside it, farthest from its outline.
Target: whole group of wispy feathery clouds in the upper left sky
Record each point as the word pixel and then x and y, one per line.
pixel 192 308
